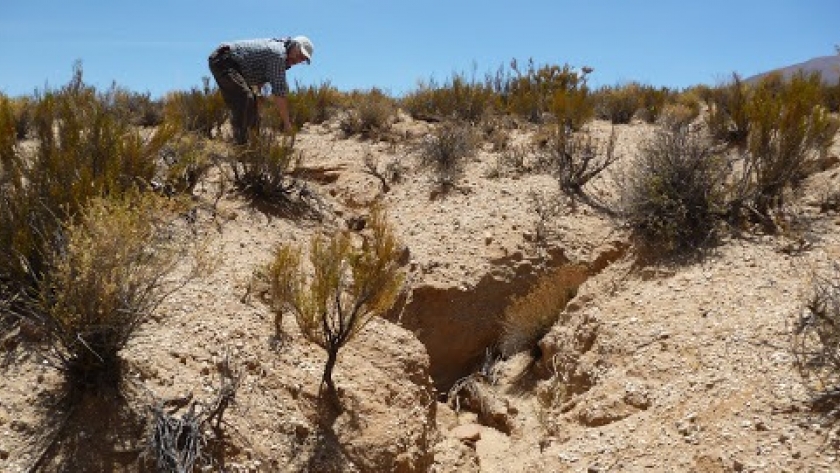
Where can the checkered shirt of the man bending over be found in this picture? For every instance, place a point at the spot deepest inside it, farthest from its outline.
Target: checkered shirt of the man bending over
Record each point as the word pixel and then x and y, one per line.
pixel 262 61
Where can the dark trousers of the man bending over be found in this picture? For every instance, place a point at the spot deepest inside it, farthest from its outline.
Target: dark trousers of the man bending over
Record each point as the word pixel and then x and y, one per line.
pixel 239 97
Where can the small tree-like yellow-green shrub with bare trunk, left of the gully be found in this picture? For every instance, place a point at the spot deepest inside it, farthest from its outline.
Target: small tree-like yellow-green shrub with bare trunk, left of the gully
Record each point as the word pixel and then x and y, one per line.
pixel 348 286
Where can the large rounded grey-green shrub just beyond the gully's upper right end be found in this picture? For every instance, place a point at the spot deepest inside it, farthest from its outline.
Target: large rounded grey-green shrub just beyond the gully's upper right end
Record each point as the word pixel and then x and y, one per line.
pixel 673 194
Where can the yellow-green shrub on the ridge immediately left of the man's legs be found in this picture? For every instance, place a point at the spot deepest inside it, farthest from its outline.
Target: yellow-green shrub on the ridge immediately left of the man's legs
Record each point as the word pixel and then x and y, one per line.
pixel 198 110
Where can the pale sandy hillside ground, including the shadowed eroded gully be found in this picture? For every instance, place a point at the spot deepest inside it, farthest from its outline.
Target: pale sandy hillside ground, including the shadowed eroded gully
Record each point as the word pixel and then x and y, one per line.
pixel 651 364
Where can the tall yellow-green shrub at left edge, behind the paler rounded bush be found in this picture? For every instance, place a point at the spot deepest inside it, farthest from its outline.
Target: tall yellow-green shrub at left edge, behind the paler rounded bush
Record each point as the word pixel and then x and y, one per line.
pixel 84 151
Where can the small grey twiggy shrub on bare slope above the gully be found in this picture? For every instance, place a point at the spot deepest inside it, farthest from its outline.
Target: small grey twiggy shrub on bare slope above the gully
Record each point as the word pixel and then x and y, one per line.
pixel 446 150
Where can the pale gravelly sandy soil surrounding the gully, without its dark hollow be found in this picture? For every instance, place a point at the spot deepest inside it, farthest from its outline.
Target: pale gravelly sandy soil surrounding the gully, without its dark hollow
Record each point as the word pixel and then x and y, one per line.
pixel 670 368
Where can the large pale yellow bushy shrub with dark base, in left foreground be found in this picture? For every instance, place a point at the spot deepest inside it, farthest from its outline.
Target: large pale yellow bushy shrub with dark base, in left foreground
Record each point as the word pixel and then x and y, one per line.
pixel 114 266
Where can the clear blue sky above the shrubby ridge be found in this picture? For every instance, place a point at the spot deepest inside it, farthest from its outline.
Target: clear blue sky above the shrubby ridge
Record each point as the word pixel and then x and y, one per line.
pixel 157 46
